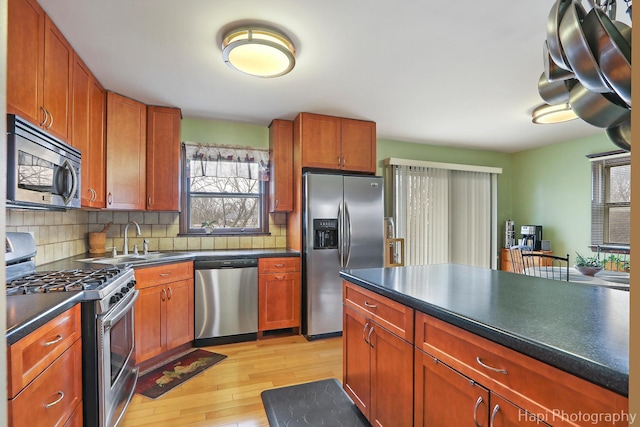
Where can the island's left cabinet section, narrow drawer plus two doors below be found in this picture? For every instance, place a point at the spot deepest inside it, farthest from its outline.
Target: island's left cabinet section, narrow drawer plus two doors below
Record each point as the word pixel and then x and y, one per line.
pixel 378 363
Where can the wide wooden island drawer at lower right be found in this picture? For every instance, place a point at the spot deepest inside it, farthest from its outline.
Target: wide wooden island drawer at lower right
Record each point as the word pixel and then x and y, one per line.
pixel 529 383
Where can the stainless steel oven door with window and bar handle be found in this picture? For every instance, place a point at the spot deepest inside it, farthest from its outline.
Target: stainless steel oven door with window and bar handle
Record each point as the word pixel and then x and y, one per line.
pixel 117 374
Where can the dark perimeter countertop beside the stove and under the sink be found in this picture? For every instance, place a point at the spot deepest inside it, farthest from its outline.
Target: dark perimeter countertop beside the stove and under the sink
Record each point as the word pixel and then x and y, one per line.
pixel 26 313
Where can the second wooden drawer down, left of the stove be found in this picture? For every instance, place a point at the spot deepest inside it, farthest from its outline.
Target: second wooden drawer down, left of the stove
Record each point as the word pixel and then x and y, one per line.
pixel 53 396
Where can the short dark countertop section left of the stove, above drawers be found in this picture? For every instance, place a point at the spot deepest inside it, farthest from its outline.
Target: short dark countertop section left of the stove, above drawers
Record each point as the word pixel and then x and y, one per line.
pixel 57 306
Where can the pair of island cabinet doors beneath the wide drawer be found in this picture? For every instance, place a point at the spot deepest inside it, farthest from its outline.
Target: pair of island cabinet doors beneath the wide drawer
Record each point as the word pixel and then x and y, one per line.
pixel 443 396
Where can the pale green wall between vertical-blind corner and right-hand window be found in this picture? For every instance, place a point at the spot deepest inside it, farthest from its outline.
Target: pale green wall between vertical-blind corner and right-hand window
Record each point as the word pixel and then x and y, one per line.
pixel 552 187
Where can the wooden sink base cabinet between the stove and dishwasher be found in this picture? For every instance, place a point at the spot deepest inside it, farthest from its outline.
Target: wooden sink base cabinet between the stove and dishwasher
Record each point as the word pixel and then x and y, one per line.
pixel 164 309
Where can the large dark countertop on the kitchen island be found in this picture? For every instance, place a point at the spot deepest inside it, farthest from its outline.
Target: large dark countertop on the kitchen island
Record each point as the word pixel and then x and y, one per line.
pixel 583 330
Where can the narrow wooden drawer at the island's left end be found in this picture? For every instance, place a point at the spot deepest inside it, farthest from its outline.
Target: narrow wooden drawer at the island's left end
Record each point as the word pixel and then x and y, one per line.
pixel 392 315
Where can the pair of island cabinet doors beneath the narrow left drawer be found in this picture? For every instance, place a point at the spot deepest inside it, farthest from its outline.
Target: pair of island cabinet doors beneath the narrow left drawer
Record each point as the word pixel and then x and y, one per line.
pixel 378 371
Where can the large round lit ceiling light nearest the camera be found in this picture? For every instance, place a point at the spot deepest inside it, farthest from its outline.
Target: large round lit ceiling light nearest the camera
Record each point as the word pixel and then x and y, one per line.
pixel 258 52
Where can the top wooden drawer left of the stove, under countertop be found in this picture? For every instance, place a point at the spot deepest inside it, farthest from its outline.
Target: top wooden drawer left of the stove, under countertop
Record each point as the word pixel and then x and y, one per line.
pixel 28 357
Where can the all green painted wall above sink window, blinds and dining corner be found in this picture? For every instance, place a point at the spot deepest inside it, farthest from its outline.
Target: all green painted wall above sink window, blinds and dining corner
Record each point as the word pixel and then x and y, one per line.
pixel 548 186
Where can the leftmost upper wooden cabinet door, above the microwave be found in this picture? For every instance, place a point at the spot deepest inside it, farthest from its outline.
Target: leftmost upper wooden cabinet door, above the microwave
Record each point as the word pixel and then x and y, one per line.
pixel 25 56
